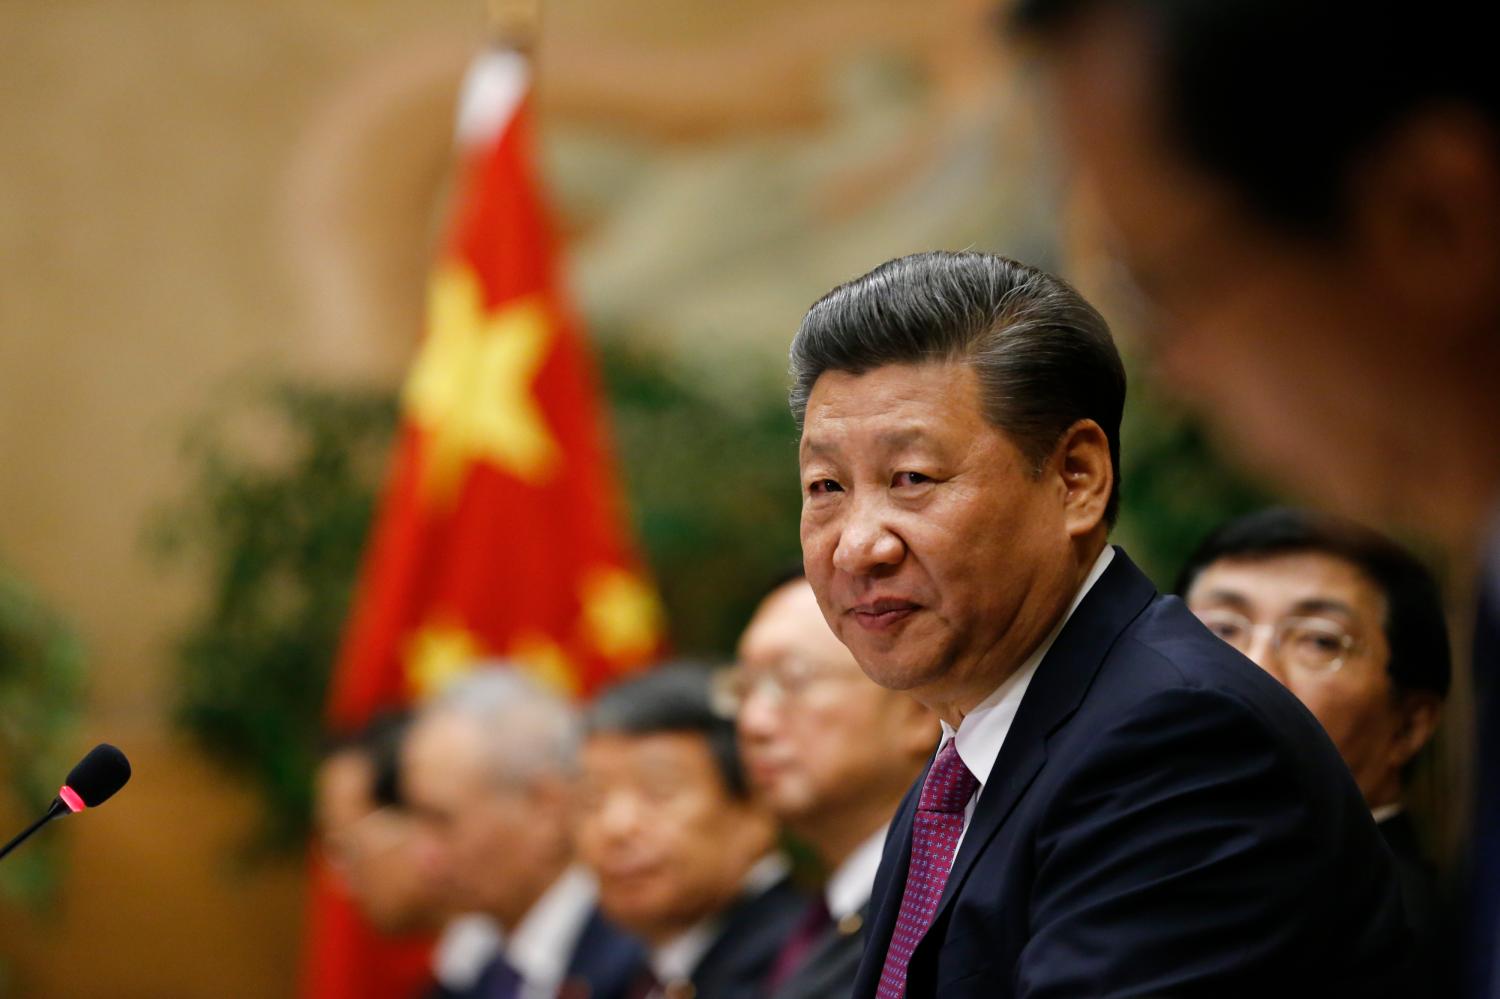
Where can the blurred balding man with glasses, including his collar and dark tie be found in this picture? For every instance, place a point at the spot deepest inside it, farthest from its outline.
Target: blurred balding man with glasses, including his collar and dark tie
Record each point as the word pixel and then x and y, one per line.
pixel 806 715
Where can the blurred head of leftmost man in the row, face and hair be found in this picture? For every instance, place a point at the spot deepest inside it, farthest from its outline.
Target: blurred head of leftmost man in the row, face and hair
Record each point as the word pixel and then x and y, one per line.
pixel 368 839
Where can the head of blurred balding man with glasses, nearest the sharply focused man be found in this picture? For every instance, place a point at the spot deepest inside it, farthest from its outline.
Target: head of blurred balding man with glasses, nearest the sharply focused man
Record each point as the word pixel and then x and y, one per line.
pixel 829 751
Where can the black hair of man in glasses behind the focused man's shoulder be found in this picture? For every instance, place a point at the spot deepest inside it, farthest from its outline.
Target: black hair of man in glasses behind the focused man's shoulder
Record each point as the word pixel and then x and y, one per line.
pixel 1415 626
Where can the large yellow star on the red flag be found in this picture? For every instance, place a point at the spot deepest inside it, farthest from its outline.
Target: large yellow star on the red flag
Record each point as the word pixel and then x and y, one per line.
pixel 470 388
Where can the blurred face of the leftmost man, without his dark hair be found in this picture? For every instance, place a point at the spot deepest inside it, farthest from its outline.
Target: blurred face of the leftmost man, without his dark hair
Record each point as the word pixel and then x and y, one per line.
pixel 373 850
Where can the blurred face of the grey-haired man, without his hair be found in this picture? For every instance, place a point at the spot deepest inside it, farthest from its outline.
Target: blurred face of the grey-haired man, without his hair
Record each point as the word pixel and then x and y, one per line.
pixel 479 836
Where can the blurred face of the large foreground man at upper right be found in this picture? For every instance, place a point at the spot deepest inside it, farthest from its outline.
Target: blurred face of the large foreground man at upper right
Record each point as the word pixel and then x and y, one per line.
pixel 1295 349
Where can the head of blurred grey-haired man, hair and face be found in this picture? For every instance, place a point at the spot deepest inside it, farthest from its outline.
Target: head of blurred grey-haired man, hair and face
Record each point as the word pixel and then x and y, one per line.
pixel 490 773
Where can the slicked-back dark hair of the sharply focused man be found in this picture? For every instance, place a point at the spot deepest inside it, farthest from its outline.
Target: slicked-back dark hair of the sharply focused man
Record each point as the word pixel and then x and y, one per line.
pixel 1043 356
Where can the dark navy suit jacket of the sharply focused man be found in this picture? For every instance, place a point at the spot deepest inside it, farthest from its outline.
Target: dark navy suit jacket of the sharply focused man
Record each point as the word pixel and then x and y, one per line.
pixel 1163 820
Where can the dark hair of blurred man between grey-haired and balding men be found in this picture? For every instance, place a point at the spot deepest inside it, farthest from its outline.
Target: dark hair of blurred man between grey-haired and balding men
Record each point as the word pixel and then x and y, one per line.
pixel 673 698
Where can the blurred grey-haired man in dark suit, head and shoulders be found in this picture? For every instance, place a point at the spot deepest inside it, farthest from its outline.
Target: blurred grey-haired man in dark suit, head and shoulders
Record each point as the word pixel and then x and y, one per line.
pixel 490 773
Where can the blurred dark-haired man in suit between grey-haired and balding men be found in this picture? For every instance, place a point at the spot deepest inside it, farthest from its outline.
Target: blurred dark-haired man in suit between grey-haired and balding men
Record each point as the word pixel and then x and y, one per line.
pixel 685 857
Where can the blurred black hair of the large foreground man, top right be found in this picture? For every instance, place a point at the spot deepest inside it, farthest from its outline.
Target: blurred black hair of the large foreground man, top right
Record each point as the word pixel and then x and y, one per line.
pixel 1283 98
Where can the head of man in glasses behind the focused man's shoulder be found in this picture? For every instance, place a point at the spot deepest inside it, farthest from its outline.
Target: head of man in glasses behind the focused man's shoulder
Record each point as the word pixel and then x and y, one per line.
pixel 1348 620
